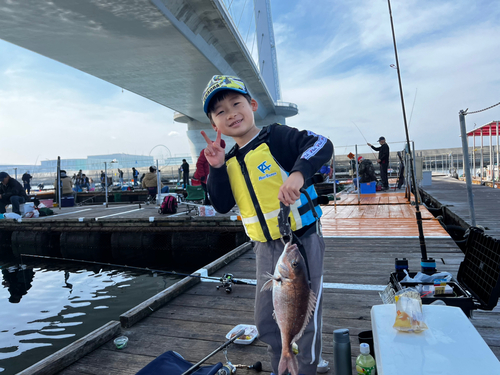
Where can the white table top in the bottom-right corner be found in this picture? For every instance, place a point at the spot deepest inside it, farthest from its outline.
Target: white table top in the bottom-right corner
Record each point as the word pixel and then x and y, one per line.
pixel 451 345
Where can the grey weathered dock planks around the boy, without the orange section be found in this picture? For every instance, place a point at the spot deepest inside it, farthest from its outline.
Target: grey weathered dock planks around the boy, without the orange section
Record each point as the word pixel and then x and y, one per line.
pixel 195 323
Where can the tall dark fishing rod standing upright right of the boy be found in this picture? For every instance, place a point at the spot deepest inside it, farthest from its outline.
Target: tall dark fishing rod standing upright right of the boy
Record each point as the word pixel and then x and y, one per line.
pixel 426 264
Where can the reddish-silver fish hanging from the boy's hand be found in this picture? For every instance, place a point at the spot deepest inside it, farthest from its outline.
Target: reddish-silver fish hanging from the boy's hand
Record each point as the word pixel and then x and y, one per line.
pixel 293 301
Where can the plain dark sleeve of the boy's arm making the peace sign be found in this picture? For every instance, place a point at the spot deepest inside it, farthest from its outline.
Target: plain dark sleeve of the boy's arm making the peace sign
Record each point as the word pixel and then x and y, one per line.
pixel 219 188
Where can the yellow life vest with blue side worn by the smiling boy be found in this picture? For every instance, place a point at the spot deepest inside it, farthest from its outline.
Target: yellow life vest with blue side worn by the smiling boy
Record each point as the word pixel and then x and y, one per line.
pixel 255 183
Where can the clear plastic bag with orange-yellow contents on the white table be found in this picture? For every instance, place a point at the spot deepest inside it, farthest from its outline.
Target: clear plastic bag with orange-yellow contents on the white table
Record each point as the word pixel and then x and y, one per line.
pixel 409 315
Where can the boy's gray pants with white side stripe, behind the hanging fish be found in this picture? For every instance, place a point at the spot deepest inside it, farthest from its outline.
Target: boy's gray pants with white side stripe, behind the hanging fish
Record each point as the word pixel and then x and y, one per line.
pixel 267 254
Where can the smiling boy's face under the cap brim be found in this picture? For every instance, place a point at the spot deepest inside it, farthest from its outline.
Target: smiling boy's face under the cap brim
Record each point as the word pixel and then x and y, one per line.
pixel 233 116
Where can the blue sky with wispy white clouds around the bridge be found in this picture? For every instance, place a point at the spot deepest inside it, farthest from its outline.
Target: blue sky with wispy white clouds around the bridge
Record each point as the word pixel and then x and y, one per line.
pixel 334 60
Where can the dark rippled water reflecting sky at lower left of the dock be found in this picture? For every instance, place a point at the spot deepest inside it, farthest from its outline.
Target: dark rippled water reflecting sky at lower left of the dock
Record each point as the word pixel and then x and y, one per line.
pixel 45 307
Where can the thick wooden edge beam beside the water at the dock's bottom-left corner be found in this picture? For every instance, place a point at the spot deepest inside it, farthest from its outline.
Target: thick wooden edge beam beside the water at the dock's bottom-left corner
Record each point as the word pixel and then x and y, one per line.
pixel 74 351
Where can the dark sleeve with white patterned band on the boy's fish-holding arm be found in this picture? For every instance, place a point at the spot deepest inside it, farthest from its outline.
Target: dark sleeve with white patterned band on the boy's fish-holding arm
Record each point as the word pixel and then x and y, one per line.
pixel 302 151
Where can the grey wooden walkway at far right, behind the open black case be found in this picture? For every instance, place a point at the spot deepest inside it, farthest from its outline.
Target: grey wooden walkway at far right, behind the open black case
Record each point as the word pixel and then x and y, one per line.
pixel 452 193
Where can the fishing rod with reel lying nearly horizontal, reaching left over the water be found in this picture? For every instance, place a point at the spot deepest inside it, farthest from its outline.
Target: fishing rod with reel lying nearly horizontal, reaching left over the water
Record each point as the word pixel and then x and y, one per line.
pixel 227 279
